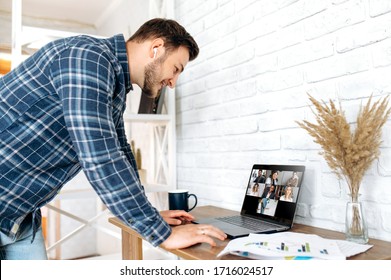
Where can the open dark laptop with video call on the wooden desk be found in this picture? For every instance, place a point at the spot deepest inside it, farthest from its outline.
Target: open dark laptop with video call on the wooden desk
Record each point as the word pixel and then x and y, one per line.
pixel 269 203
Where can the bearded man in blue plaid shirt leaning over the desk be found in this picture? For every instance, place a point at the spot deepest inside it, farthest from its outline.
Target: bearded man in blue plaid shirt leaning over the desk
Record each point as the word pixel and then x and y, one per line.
pixel 62 111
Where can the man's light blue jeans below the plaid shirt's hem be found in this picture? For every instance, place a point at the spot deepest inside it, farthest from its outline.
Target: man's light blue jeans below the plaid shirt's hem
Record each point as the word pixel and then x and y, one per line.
pixel 21 247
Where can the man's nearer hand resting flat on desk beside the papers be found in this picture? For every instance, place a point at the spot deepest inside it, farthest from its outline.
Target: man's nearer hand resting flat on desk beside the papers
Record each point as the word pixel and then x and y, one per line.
pixel 187 235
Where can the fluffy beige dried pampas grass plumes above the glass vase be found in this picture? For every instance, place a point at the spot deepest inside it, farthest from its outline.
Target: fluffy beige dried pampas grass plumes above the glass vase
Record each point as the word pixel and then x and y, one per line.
pixel 348 154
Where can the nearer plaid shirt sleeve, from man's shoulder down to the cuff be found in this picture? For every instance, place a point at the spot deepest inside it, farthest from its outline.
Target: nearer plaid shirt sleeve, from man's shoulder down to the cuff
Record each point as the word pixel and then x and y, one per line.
pixel 84 79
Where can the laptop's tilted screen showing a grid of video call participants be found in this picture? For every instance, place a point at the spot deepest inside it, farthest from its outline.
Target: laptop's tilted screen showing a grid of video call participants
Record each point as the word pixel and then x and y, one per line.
pixel 272 192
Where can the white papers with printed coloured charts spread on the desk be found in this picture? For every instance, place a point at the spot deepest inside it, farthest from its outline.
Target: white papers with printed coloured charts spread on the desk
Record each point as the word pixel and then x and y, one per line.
pixel 291 245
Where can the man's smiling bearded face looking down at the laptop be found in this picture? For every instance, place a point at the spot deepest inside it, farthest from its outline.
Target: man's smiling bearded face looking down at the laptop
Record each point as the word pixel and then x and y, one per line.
pixel 164 71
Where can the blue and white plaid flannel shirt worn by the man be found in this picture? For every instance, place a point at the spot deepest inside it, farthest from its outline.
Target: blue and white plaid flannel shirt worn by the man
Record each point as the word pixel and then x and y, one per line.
pixel 62 111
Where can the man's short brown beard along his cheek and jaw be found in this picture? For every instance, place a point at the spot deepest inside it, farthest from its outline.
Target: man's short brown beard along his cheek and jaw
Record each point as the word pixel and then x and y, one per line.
pixel 150 77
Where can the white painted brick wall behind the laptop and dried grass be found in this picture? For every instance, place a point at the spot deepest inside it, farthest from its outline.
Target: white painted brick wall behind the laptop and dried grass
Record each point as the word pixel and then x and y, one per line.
pixel 238 102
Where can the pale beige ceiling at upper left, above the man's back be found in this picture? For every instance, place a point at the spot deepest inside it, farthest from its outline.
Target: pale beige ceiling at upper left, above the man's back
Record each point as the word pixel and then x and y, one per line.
pixel 87 12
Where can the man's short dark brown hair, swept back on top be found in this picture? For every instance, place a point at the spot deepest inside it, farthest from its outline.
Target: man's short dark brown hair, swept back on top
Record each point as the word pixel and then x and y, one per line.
pixel 173 34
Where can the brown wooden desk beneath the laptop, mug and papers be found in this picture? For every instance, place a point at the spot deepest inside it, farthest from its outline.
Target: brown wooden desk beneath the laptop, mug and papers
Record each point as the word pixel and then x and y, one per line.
pixel 132 241
